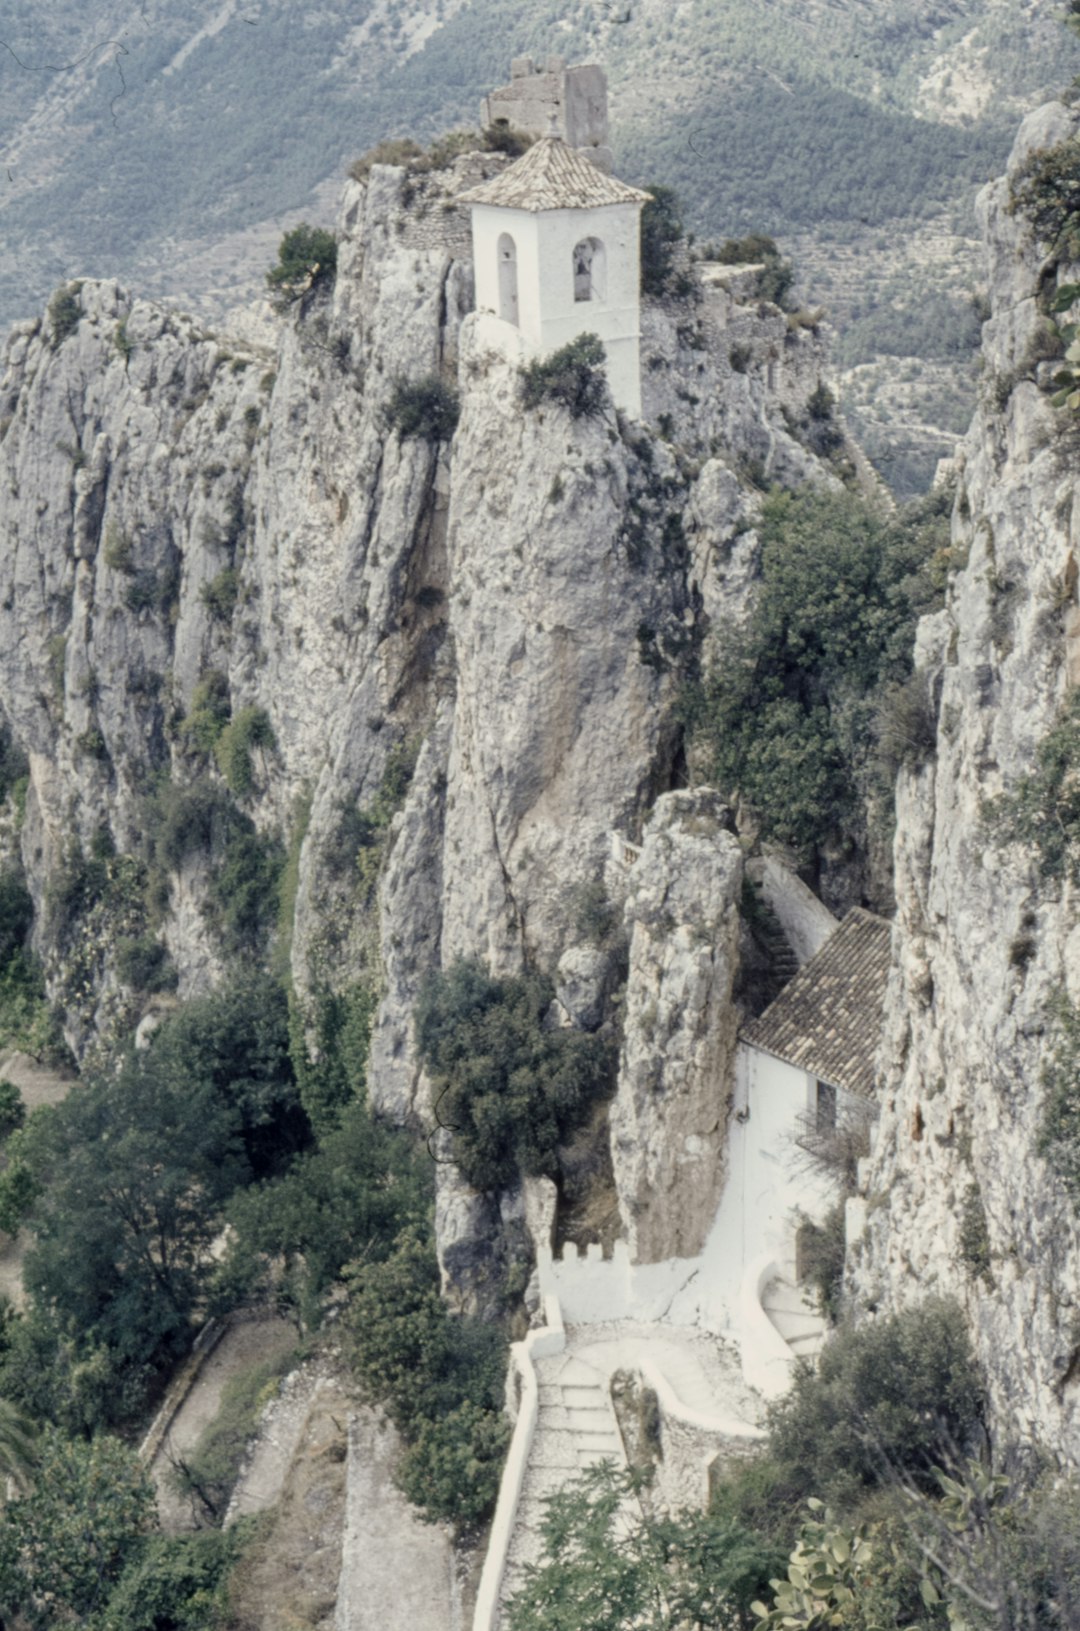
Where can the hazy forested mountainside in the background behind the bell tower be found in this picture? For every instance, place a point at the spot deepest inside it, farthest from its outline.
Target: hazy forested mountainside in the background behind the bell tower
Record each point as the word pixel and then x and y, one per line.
pixel 135 135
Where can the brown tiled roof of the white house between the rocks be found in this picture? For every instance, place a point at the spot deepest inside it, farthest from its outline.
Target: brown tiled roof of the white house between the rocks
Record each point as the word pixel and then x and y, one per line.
pixel 828 1020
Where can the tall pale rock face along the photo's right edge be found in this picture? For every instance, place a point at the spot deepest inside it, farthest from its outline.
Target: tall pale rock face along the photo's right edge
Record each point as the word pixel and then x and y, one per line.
pixel 983 942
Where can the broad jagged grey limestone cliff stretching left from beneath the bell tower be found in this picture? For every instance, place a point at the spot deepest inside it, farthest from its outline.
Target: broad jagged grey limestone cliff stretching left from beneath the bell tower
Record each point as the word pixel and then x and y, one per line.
pixel 241 608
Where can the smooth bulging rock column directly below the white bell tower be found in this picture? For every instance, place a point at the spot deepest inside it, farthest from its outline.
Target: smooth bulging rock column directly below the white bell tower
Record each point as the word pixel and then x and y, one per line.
pixel 560 723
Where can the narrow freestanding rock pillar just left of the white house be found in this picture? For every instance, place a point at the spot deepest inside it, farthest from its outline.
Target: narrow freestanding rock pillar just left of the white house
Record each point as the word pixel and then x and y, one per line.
pixel 670 1120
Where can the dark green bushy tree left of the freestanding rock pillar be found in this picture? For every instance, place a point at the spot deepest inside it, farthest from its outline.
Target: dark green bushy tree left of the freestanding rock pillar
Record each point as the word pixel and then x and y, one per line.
pixel 508 1089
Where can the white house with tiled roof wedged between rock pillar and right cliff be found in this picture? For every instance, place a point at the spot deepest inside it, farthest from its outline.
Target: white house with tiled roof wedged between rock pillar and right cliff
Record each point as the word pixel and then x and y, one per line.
pixel 803 1067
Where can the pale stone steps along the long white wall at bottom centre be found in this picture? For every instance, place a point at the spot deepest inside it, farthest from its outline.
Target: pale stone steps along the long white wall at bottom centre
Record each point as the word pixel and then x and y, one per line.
pixel 577 1430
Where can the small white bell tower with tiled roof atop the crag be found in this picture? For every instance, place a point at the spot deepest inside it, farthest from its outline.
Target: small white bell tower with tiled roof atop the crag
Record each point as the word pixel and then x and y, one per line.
pixel 557 252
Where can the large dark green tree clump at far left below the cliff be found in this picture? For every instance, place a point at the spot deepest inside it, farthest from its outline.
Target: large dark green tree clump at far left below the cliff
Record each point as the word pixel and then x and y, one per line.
pixel 125 1187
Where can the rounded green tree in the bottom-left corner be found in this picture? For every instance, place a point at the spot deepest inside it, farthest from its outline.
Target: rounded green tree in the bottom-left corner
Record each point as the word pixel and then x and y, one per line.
pixel 77 1527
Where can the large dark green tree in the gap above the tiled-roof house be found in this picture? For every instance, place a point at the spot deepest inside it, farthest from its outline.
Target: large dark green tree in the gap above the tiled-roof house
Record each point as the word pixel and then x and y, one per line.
pixel 790 710
